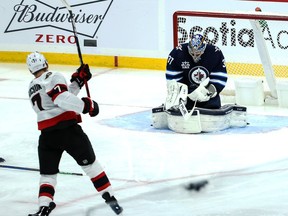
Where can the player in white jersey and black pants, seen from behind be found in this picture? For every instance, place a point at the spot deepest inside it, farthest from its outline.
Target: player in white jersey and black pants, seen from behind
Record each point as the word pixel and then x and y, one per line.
pixel 58 112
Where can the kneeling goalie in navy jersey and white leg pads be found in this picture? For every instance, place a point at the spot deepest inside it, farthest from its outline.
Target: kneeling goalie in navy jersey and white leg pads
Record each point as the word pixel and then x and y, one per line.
pixel 196 74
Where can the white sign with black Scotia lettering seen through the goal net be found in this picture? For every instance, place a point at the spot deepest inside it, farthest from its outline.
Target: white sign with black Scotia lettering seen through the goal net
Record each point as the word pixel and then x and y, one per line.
pixel 233 33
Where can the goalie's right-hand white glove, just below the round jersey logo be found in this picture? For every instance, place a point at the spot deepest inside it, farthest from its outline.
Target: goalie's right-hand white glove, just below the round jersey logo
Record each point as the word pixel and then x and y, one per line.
pixel 204 92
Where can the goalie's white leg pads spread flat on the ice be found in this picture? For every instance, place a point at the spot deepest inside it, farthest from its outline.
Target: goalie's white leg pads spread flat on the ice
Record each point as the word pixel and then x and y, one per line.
pixel 201 120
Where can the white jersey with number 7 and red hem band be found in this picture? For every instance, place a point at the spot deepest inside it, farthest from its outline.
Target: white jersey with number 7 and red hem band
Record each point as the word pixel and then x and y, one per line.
pixel 53 100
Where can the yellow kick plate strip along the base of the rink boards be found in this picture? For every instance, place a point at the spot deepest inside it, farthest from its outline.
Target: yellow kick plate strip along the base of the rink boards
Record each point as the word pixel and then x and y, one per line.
pixel 135 62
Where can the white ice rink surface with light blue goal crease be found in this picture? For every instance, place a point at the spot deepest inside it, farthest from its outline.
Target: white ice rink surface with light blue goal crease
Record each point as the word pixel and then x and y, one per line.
pixel 247 168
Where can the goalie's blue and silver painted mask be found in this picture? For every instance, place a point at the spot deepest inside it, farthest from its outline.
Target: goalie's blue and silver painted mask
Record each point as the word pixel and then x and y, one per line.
pixel 196 47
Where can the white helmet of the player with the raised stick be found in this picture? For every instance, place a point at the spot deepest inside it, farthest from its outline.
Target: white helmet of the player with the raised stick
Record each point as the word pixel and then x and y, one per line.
pixel 35 62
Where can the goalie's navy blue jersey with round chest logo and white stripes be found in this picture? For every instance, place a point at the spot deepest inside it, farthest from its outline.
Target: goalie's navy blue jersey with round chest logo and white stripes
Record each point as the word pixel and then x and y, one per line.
pixel 182 68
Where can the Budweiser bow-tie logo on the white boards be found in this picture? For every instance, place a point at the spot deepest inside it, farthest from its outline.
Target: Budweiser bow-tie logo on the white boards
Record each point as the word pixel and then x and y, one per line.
pixel 38 14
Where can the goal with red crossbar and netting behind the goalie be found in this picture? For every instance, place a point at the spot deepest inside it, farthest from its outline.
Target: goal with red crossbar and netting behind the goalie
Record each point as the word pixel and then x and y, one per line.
pixel 255 44
